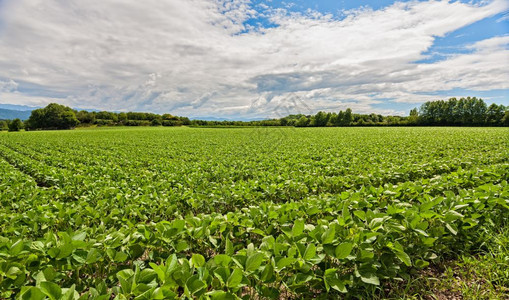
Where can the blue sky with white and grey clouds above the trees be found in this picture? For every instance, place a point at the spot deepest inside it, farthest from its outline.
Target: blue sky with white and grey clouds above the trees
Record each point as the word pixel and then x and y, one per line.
pixel 249 59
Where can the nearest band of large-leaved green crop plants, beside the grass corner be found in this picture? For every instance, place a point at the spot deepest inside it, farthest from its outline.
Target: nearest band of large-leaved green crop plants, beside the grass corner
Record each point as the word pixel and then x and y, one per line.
pixel 316 246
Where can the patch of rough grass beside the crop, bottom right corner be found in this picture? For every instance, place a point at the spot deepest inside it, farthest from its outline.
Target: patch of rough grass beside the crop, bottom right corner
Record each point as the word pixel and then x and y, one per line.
pixel 481 276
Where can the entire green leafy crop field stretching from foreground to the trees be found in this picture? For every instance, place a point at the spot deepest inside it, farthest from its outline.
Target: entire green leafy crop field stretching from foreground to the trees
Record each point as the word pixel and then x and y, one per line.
pixel 160 213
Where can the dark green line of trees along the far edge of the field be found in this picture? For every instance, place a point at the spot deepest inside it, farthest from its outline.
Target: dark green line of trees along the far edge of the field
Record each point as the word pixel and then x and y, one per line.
pixel 469 111
